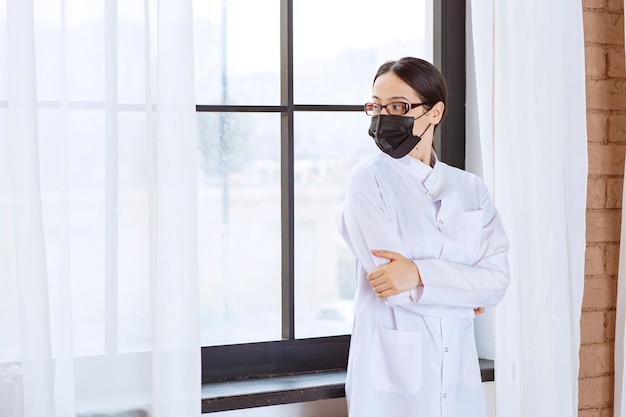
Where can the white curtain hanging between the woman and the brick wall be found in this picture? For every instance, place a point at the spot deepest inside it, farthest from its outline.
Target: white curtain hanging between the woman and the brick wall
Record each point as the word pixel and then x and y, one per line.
pixel 526 85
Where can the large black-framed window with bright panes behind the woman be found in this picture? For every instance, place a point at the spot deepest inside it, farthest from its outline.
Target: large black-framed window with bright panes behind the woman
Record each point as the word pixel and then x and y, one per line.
pixel 280 86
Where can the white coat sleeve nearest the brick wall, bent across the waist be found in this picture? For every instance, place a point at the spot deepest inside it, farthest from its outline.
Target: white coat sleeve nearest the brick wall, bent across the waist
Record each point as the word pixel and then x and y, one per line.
pixel 482 284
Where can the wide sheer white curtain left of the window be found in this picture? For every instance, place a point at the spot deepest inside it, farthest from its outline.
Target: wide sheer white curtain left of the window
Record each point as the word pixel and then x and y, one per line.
pixel 98 246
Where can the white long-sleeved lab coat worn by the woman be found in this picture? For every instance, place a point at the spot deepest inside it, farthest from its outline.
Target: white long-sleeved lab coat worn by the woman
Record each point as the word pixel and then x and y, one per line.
pixel 414 354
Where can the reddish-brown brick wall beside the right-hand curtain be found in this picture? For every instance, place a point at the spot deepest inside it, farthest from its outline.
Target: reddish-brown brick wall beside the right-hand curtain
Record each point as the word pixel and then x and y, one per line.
pixel 606 128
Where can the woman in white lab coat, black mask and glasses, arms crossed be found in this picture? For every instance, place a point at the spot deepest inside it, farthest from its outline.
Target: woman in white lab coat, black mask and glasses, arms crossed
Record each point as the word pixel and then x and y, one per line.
pixel 430 252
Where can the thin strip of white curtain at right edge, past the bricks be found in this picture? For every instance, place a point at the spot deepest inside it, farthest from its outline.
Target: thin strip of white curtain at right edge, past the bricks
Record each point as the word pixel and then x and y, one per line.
pixel 619 405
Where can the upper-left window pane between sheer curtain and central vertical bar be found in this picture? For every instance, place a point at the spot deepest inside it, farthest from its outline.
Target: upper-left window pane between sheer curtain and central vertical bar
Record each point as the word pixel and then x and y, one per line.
pixel 237 51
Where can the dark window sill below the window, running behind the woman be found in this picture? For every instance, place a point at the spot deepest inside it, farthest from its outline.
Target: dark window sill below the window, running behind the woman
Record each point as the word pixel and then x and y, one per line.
pixel 259 392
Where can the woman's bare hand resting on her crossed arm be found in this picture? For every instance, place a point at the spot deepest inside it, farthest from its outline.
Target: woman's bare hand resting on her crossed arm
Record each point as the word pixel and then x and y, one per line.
pixel 397 276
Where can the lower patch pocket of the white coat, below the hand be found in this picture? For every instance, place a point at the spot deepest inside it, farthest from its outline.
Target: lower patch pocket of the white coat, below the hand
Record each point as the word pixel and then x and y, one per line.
pixel 397 361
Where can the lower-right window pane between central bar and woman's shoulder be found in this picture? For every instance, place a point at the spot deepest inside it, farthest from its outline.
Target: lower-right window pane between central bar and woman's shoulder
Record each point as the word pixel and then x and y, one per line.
pixel 326 145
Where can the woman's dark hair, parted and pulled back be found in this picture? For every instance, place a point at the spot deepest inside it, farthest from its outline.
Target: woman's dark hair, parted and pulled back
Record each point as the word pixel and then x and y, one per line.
pixel 422 76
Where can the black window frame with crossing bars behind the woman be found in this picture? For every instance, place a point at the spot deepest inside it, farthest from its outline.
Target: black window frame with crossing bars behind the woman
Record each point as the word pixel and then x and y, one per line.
pixel 294 356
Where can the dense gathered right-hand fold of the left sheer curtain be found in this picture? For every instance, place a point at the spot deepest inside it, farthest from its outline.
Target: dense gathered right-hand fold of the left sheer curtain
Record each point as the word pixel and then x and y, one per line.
pixel 175 300
